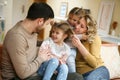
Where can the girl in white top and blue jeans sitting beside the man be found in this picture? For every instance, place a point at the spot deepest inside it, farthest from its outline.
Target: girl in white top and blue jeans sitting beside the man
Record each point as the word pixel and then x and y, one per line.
pixel 59 52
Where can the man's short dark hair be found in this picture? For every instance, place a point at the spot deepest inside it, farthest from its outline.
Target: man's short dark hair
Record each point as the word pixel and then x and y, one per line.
pixel 40 10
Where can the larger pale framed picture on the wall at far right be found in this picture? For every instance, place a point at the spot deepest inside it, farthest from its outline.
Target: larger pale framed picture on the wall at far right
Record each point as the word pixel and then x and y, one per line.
pixel 105 17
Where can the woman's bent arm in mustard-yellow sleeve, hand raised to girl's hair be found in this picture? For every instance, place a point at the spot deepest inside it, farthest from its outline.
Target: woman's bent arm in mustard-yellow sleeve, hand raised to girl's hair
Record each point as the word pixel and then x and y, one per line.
pixel 91 54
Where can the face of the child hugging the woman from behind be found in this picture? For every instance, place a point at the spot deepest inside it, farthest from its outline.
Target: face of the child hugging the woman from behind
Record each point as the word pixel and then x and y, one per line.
pixel 73 19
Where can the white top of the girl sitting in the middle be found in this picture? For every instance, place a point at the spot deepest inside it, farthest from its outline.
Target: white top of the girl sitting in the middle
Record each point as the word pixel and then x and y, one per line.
pixel 56 49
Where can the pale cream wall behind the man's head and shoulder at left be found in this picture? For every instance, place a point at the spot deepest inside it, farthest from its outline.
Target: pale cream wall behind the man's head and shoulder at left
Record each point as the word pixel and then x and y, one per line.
pixel 12 12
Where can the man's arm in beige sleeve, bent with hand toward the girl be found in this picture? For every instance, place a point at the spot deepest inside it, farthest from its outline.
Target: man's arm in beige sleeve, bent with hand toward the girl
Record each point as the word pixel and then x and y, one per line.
pixel 19 53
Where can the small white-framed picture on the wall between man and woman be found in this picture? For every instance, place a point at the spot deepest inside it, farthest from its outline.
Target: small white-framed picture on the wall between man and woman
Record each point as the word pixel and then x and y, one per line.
pixel 63 9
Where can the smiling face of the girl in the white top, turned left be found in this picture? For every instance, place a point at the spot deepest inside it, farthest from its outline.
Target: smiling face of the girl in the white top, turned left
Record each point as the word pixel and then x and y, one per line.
pixel 58 35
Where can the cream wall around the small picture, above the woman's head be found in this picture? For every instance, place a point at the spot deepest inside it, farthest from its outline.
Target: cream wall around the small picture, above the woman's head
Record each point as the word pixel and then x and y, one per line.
pixel 93 5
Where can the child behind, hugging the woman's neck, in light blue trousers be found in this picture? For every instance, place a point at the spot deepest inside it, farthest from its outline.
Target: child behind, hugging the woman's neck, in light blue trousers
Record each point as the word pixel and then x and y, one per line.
pixel 73 20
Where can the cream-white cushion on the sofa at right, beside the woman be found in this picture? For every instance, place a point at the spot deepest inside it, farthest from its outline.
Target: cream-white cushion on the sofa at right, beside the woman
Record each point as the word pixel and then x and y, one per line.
pixel 111 58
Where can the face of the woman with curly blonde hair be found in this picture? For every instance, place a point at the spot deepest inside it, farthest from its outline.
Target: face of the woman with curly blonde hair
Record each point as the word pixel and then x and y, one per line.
pixel 81 27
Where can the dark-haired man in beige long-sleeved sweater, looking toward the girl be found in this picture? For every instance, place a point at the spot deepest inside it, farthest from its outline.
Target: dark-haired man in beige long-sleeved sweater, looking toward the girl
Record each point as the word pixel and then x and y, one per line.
pixel 20 58
